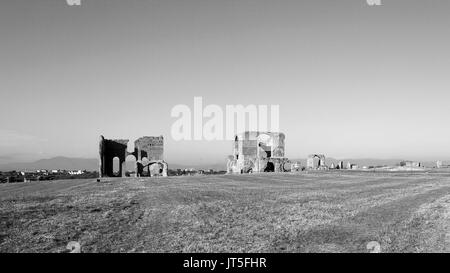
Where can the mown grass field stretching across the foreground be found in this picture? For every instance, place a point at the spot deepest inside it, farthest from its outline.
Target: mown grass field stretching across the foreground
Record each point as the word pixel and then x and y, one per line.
pixel 310 212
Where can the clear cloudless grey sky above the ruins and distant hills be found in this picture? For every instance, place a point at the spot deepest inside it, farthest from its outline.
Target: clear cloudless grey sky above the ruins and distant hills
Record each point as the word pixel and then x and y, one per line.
pixel 351 80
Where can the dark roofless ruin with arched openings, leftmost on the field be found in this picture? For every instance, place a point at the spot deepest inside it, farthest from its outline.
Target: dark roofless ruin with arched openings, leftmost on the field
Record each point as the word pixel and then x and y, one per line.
pixel 148 147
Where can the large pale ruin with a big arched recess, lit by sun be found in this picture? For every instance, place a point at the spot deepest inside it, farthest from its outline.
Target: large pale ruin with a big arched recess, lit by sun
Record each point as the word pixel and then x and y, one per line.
pixel 258 152
